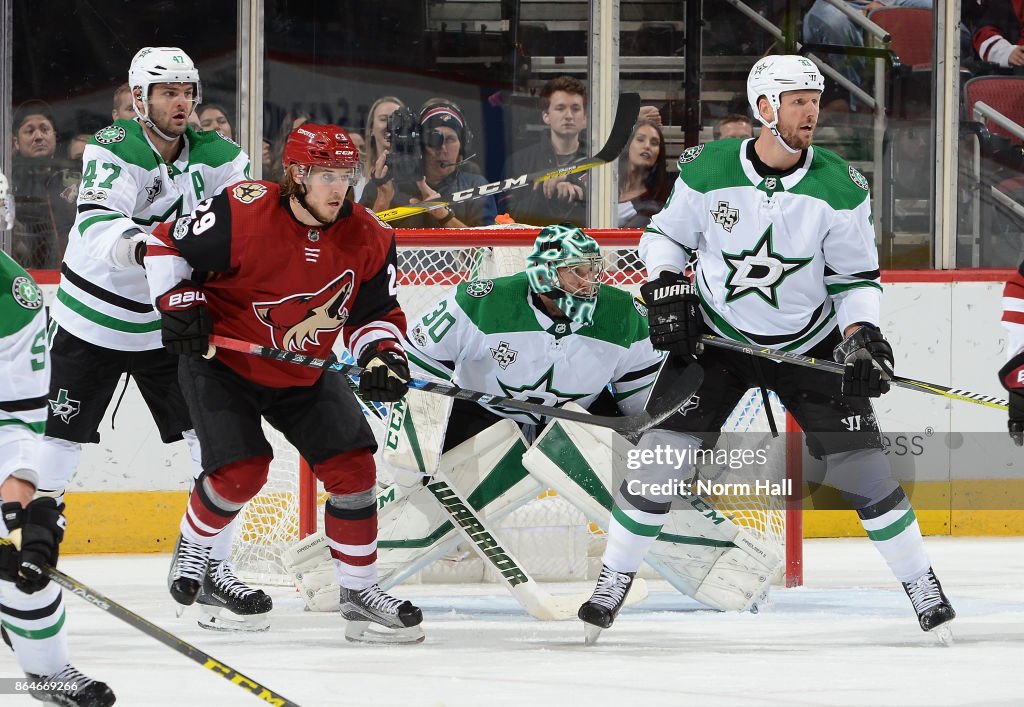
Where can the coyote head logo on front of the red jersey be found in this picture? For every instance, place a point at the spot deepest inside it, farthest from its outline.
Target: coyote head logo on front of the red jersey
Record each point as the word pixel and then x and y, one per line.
pixel 298 319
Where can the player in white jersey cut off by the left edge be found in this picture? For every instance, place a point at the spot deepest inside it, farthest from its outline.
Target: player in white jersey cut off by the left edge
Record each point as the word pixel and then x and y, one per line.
pixel 31 606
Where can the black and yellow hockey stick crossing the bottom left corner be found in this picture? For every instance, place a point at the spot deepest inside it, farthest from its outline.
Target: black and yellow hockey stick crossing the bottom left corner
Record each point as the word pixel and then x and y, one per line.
pixel 169 640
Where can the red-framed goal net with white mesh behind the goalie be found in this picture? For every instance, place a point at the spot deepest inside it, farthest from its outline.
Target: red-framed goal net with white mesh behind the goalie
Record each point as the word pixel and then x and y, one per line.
pixel 549 536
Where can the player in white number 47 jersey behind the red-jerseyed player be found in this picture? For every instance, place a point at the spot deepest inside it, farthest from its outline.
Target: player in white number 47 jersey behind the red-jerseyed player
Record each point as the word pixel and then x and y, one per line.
pixel 137 175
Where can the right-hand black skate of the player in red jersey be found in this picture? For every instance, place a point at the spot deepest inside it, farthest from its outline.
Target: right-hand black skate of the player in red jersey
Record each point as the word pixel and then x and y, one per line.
pixel 374 606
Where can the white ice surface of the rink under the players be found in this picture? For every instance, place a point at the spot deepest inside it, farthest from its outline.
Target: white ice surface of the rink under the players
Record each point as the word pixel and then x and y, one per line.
pixel 848 638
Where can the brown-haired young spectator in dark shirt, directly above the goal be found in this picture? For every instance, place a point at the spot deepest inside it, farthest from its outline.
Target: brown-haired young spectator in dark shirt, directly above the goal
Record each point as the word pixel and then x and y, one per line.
pixel 563 200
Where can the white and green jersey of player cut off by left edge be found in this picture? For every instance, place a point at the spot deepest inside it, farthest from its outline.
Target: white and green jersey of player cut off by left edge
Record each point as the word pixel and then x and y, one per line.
pixel 25 370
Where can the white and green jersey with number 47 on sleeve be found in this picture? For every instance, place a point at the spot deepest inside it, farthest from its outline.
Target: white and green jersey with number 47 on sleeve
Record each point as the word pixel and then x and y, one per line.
pixel 126 185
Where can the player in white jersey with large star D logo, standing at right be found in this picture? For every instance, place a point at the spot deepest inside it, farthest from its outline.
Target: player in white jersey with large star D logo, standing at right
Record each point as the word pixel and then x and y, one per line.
pixel 787 260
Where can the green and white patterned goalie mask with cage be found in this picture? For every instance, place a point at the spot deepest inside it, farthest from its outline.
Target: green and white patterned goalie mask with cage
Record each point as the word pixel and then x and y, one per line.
pixel 567 265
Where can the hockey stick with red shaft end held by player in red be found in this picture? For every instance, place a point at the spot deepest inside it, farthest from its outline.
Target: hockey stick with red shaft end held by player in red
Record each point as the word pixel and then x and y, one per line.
pixel 664 404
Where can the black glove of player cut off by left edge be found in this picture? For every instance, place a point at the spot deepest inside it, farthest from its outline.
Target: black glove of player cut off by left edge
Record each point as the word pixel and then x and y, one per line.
pixel 36 531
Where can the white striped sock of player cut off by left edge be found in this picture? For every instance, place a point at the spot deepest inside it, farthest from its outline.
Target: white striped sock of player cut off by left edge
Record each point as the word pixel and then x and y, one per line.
pixel 35 625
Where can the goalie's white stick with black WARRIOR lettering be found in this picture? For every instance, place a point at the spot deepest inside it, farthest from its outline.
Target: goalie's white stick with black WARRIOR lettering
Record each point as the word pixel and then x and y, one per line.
pixel 525 589
